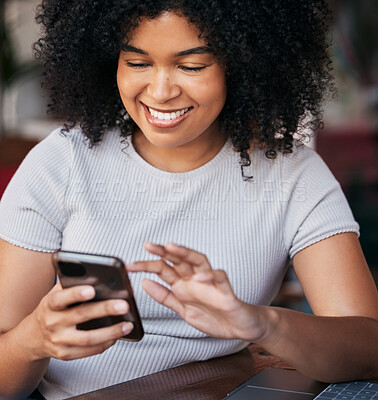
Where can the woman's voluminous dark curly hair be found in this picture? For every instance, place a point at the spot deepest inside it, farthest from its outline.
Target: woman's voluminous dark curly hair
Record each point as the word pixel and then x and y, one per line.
pixel 275 54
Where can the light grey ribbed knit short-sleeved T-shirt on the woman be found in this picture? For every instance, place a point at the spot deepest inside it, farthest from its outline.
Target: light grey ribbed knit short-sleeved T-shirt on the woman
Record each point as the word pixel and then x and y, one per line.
pixel 108 200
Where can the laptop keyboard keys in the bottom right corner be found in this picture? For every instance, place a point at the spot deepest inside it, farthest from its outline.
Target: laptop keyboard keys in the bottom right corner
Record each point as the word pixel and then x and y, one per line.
pixel 350 391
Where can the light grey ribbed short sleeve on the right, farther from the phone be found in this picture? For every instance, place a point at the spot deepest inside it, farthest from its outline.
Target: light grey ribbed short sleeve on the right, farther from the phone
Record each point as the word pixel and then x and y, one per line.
pixel 315 206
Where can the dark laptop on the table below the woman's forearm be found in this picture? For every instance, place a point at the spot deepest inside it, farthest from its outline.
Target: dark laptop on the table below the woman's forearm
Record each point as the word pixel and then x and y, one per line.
pixel 285 384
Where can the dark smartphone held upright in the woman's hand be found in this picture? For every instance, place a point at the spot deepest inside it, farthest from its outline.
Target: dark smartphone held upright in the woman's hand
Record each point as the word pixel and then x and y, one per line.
pixel 109 278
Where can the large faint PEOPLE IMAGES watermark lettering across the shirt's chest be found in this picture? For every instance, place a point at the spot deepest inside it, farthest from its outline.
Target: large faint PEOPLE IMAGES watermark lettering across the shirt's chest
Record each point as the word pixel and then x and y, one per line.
pixel 187 191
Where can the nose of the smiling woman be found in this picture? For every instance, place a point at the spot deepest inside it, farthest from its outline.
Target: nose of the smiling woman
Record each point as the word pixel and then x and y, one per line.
pixel 162 86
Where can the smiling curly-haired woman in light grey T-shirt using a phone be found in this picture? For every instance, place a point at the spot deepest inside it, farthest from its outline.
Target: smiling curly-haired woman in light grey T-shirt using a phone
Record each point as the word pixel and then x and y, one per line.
pixel 165 92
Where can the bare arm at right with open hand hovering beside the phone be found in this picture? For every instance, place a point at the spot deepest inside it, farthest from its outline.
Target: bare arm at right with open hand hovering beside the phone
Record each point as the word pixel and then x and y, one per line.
pixel 339 343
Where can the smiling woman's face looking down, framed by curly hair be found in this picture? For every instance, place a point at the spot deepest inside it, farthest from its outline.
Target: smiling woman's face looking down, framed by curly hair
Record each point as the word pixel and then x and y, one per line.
pixel 170 84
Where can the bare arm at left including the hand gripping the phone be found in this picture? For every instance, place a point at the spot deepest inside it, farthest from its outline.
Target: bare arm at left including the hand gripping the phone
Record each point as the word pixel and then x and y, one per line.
pixel 37 324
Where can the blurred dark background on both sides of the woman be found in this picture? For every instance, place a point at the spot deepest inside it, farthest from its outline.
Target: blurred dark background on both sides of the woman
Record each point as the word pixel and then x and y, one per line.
pixel 348 143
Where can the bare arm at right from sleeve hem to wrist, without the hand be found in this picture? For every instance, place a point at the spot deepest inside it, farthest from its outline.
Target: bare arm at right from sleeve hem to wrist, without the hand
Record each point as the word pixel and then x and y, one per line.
pixel 341 341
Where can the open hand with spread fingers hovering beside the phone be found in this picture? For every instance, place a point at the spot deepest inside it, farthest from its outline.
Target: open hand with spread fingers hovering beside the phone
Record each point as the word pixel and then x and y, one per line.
pixel 203 297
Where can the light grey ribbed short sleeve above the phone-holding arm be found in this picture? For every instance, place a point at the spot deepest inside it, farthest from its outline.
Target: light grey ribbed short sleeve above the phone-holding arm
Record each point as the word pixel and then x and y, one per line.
pixel 32 209
